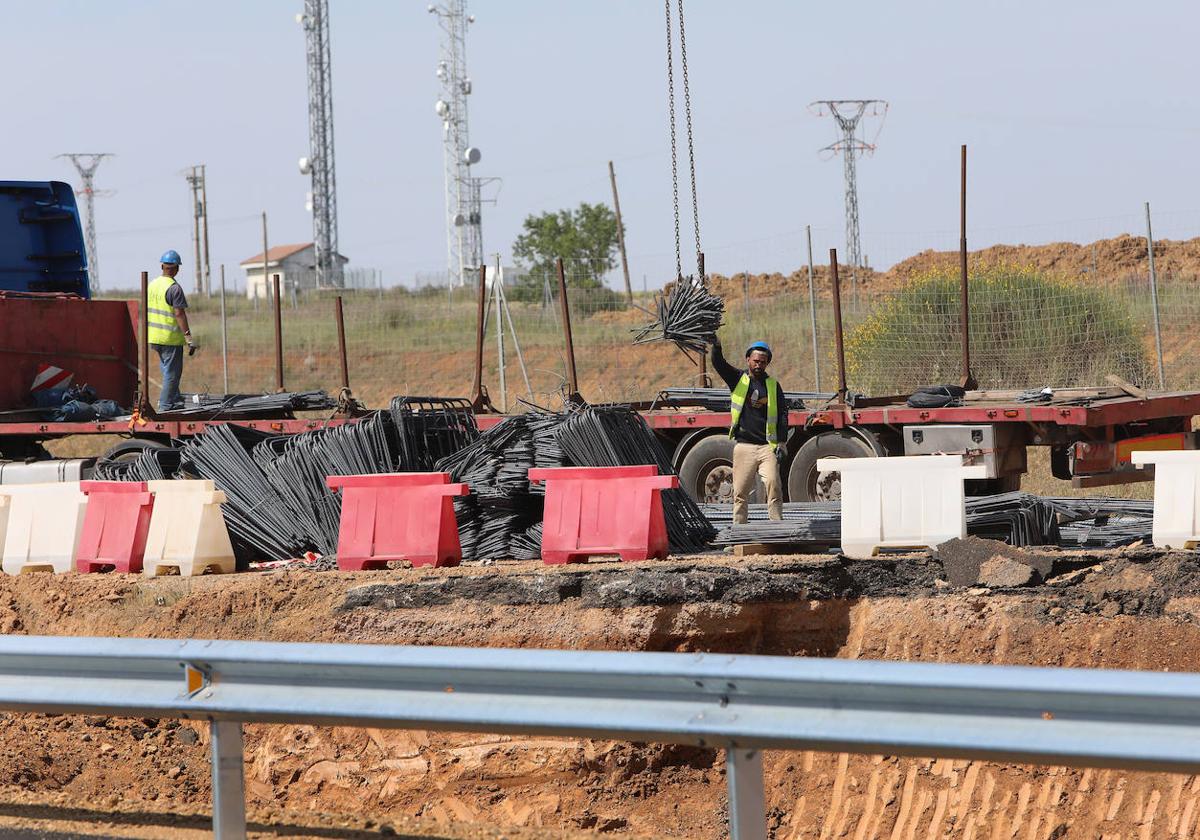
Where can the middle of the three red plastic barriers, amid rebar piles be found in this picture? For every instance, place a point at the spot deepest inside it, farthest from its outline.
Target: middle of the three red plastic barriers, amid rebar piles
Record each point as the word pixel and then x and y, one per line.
pixel 398 517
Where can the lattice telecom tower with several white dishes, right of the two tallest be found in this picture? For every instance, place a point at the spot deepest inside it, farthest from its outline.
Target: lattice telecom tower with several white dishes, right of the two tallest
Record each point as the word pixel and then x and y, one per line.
pixel 464 203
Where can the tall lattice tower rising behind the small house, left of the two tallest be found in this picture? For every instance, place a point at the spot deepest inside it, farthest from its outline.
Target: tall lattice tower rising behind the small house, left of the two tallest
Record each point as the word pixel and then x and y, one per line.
pixel 320 163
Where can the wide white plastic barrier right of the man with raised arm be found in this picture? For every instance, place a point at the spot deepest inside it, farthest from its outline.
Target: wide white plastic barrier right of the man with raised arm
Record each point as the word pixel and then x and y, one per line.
pixel 907 502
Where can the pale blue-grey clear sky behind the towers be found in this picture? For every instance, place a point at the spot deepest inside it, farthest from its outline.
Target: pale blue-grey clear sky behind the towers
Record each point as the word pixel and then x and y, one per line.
pixel 1075 112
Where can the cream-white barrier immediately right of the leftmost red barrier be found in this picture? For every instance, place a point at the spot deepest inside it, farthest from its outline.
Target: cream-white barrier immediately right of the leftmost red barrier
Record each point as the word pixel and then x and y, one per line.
pixel 188 531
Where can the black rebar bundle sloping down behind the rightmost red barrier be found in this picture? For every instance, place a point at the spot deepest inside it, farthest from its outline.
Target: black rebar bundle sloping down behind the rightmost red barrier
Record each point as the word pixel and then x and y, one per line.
pixel 620 437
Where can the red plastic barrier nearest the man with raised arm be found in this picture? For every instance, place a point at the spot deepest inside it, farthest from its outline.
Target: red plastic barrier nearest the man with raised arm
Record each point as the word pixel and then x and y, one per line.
pixel 604 511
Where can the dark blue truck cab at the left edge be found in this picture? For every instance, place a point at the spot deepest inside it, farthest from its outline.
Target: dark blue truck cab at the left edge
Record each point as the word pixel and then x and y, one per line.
pixel 41 241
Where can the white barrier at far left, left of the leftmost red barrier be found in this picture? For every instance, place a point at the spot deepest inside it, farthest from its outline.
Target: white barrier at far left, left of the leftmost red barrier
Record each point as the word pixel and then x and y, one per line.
pixel 43 527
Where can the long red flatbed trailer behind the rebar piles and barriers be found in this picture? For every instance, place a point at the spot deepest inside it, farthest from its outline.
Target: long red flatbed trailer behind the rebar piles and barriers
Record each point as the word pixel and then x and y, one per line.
pixel 1091 433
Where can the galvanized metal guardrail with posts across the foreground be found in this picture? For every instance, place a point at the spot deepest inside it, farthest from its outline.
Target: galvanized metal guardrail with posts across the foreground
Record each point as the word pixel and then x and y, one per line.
pixel 743 705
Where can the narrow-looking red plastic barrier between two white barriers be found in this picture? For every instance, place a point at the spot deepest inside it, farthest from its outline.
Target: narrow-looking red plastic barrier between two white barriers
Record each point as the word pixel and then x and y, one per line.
pixel 115 526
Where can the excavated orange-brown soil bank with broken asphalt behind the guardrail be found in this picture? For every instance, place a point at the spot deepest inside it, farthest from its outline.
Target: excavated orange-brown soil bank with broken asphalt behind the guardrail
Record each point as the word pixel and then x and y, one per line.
pixel 1138 610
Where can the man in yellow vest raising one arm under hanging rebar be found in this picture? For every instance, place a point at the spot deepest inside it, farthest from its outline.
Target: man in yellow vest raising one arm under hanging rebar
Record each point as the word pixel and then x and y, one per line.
pixel 759 429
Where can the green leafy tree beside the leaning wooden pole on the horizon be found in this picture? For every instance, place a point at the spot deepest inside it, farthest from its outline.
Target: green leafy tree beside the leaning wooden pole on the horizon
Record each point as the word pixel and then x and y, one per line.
pixel 585 238
